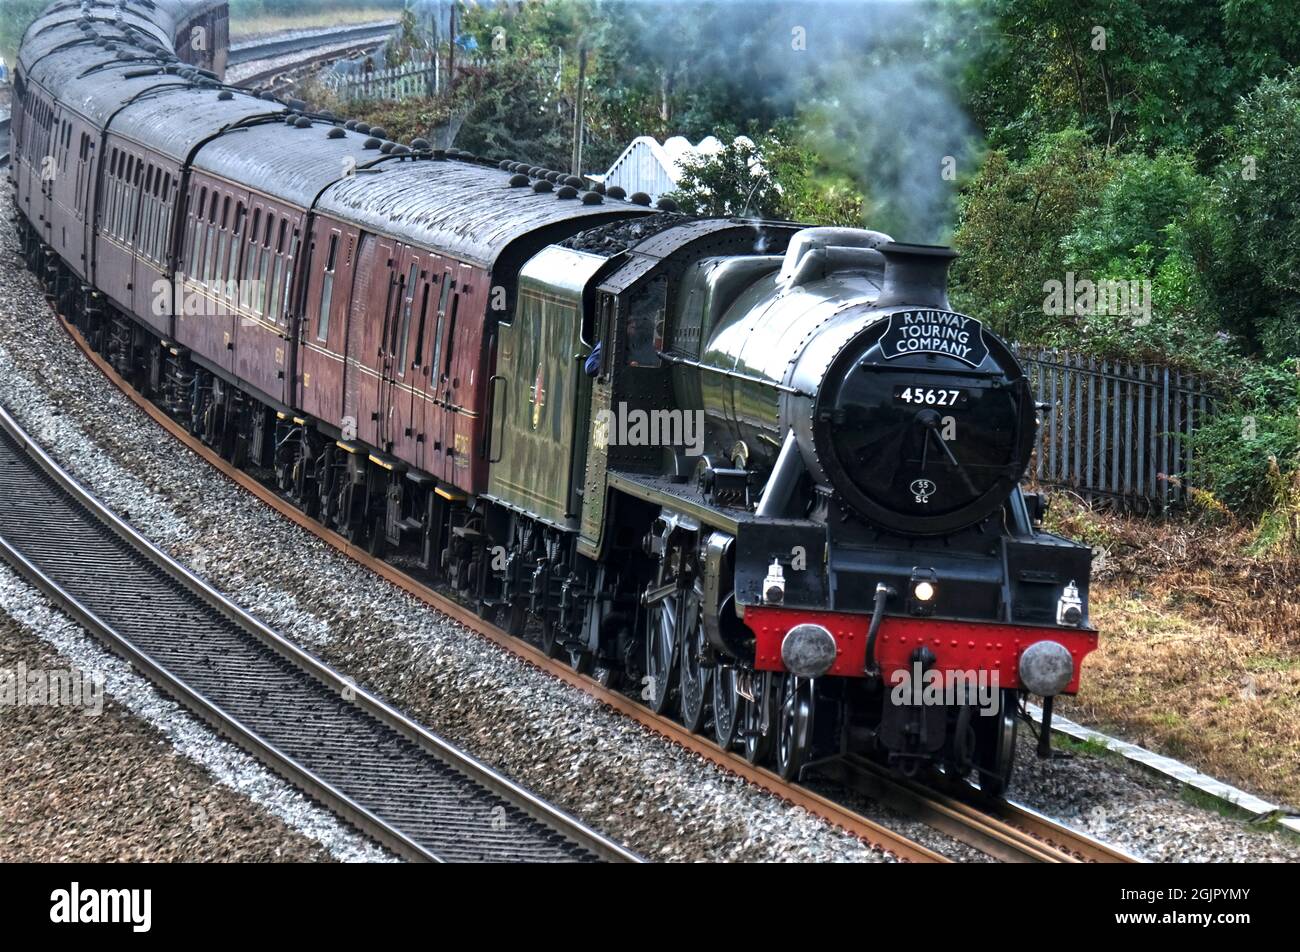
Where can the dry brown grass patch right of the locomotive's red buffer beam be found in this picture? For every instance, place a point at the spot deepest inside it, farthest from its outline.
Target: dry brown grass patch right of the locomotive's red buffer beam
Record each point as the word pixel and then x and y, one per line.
pixel 1201 644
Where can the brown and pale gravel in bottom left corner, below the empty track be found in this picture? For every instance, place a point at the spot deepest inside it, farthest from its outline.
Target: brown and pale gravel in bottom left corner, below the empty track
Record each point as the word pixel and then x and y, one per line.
pixel 136 777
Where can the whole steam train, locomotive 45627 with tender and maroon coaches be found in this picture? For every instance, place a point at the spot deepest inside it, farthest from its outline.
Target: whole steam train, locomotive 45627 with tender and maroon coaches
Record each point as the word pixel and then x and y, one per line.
pixel 761 474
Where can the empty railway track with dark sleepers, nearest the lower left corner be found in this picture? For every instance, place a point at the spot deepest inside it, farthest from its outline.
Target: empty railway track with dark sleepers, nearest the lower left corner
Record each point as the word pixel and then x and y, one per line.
pixel 410 790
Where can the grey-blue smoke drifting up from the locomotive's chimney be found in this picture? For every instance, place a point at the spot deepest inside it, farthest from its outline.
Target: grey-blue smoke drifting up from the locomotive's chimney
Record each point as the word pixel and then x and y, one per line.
pixel 876 84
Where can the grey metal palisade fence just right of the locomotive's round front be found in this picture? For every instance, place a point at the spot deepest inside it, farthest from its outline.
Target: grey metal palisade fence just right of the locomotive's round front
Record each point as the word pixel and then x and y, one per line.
pixel 1115 431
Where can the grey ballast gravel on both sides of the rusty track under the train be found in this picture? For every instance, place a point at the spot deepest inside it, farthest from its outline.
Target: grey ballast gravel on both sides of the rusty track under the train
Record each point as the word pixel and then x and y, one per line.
pixel 554 739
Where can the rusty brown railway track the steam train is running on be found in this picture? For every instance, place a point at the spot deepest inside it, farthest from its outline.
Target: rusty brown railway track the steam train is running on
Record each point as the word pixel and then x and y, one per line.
pixel 1008 833
